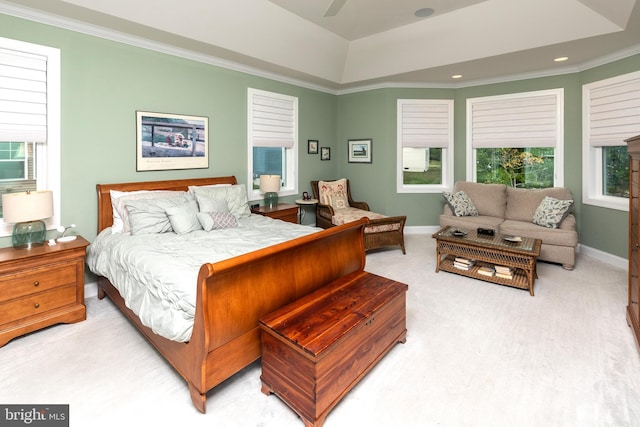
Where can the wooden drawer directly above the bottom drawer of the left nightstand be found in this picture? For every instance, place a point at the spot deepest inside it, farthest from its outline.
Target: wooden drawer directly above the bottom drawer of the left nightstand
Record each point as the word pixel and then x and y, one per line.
pixel 17 285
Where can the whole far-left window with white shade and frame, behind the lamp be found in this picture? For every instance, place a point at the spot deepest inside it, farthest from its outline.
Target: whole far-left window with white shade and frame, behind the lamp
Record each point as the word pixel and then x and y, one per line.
pixel 29 122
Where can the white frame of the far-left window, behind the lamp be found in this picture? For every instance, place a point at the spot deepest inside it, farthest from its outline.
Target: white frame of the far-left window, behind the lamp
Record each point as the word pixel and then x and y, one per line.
pixel 47 173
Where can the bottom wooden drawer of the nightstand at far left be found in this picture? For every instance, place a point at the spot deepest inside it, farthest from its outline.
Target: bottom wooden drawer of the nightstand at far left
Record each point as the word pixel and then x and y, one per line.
pixel 37 304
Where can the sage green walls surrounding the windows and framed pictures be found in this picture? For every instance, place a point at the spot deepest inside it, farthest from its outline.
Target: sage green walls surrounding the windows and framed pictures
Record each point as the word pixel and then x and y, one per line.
pixel 105 82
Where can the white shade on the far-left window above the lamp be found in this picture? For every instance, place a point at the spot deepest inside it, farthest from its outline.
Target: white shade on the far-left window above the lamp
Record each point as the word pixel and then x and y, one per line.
pixel 23 96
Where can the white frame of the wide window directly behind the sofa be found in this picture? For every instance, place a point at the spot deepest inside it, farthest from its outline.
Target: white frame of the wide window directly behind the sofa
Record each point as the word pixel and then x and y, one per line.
pixel 558 136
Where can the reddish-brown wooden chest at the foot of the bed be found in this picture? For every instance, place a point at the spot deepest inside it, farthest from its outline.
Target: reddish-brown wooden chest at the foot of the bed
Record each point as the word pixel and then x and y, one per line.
pixel 317 348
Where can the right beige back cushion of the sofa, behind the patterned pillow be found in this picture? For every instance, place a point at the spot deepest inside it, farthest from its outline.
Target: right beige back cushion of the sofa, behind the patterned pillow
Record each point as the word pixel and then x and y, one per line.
pixel 523 202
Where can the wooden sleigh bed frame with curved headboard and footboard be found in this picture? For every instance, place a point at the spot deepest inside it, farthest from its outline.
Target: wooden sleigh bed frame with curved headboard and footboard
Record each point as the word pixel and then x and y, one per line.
pixel 232 295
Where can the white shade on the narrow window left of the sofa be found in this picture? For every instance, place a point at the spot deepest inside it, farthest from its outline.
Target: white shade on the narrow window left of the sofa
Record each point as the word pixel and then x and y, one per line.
pixel 425 124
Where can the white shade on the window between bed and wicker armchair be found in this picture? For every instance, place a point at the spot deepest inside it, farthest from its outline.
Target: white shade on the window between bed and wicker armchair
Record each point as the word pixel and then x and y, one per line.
pixel 273 121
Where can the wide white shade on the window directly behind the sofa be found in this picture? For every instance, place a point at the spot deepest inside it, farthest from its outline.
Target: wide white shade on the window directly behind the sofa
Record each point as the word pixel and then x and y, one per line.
pixel 522 121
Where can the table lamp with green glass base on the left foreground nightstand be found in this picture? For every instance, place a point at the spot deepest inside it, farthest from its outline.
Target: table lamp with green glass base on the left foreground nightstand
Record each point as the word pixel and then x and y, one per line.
pixel 26 211
